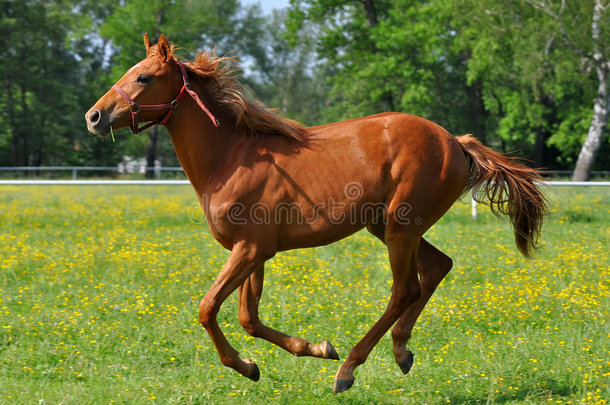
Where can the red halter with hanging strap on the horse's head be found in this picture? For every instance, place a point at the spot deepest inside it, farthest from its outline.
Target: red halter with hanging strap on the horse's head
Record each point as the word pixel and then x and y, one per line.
pixel 136 108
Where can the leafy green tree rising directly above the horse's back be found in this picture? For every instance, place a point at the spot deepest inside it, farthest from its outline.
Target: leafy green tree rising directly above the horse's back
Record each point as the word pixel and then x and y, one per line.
pixel 391 56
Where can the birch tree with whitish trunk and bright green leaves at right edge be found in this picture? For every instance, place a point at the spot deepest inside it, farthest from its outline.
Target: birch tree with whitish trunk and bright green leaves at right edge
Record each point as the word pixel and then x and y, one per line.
pixel 535 58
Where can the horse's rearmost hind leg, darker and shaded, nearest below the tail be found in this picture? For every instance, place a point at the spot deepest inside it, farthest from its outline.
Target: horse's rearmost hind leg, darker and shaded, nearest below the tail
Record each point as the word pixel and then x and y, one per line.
pixel 433 265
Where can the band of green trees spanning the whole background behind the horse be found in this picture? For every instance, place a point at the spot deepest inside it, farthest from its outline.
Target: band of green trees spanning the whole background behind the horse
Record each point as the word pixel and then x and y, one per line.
pixel 530 77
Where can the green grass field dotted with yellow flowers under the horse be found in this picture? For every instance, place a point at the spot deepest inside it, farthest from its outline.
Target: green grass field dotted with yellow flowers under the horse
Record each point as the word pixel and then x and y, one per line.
pixel 100 289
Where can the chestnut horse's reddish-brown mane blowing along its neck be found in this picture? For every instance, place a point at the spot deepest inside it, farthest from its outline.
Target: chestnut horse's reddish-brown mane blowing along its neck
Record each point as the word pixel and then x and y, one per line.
pixel 216 74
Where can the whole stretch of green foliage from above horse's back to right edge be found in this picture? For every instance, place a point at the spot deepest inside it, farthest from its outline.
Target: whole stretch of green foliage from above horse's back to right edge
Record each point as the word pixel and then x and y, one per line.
pixel 502 70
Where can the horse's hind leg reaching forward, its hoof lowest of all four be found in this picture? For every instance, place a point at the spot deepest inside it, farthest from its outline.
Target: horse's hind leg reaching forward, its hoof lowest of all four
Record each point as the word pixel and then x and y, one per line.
pixel 405 291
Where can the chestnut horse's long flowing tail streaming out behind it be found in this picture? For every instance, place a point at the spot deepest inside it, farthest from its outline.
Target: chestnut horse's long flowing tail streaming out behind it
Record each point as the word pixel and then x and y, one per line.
pixel 510 188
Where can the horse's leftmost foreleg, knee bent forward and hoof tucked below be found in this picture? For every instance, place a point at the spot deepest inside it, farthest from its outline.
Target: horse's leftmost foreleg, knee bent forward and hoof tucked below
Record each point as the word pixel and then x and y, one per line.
pixel 242 262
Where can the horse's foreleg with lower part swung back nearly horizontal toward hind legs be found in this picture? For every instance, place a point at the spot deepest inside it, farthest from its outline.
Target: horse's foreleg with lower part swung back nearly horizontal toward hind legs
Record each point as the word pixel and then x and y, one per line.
pixel 249 296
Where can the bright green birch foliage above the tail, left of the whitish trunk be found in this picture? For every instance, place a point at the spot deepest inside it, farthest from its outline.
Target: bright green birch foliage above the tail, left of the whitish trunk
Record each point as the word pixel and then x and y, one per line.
pixel 536 89
